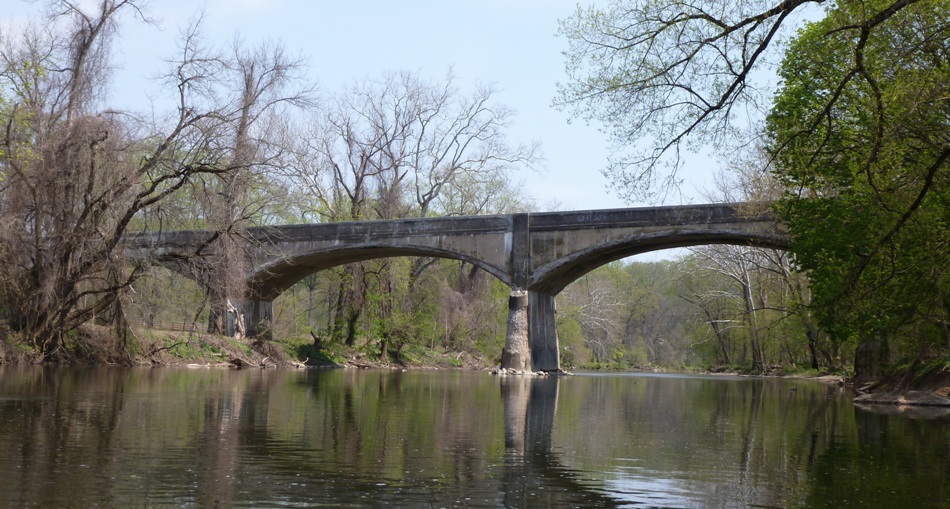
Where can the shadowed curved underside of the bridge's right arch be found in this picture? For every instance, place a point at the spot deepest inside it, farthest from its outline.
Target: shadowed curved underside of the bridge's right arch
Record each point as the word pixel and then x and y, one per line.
pixel 552 277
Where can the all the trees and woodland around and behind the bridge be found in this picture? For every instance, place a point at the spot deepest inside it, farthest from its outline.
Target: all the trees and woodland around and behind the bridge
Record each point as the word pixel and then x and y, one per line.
pixel 854 148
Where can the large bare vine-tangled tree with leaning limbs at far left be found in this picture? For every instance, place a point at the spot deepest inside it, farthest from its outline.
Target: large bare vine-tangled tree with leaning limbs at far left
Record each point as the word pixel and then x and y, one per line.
pixel 73 179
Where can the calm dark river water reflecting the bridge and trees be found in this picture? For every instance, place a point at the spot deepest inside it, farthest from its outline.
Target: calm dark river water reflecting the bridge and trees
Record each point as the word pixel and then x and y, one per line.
pixel 252 438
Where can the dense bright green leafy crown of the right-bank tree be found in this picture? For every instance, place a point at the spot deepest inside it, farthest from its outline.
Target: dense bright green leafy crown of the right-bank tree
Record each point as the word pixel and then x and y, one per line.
pixel 859 136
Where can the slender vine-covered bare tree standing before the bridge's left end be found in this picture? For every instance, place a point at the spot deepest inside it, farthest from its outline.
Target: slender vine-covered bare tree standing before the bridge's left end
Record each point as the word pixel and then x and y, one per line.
pixel 264 80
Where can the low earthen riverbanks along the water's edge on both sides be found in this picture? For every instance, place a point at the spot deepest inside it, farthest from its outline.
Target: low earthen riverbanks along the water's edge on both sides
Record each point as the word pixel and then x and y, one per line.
pixel 917 384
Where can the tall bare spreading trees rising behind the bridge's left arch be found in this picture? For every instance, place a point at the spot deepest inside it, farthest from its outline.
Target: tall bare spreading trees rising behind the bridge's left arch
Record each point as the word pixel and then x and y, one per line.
pixel 401 147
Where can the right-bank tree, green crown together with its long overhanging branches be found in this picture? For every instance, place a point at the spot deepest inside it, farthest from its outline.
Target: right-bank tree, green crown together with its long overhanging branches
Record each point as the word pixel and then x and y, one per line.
pixel 857 133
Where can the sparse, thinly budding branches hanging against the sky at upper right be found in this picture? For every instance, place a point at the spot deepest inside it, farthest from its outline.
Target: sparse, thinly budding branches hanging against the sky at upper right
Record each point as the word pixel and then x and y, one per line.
pixel 661 74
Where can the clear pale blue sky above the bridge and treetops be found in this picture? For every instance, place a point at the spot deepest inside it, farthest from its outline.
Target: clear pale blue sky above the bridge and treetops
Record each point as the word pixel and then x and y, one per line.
pixel 512 43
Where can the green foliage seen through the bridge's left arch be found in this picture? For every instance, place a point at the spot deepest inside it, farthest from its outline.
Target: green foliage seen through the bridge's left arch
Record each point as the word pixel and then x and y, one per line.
pixel 449 307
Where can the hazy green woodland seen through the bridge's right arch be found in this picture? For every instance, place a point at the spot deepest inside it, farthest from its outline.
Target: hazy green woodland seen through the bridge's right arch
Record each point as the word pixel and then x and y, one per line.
pixel 691 313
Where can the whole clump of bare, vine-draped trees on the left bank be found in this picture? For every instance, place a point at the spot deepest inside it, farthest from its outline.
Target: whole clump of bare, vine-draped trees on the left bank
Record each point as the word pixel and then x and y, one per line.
pixel 78 176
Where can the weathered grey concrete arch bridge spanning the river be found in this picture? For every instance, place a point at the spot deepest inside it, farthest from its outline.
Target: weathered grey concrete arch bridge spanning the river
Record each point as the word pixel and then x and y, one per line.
pixel 536 254
